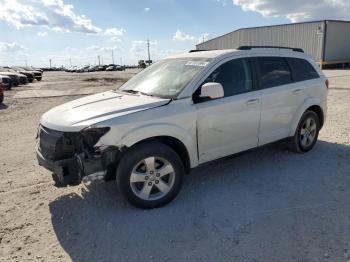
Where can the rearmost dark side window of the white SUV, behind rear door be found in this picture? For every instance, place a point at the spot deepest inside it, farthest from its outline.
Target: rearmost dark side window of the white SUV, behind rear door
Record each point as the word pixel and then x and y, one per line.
pixel 302 69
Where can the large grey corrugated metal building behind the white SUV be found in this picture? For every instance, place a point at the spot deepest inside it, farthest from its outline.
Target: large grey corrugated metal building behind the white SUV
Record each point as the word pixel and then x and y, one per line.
pixel 328 41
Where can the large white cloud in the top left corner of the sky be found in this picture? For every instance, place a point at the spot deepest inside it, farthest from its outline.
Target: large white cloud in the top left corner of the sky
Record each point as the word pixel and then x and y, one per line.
pixel 52 14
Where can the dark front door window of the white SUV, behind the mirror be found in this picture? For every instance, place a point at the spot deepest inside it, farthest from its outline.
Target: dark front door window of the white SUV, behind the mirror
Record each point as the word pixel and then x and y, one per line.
pixel 235 77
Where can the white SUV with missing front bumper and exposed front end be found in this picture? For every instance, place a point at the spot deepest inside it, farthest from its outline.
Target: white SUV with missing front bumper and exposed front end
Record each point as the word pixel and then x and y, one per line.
pixel 181 112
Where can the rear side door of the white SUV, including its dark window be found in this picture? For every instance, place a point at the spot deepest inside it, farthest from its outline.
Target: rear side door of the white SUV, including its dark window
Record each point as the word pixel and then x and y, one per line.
pixel 280 98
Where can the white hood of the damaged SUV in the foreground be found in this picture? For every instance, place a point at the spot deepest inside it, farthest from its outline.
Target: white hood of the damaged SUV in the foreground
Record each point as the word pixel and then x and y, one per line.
pixel 78 114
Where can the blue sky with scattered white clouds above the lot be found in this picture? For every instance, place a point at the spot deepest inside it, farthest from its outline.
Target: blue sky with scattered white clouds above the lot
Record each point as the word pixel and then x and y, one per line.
pixel 72 32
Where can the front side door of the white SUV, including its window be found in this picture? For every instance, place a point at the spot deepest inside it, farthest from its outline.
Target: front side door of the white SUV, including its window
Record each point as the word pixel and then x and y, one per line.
pixel 230 124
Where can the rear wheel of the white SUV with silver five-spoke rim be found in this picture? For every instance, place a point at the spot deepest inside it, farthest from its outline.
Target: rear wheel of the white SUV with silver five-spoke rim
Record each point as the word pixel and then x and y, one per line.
pixel 306 134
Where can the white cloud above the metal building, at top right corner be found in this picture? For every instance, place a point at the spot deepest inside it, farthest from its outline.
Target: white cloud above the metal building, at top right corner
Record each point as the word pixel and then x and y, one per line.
pixel 297 11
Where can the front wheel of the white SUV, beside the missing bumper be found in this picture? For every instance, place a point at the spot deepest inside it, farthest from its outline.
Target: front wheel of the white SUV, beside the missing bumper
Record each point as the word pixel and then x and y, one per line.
pixel 142 189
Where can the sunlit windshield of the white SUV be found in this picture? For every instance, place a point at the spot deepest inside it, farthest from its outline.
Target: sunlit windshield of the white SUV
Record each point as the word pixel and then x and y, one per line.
pixel 166 78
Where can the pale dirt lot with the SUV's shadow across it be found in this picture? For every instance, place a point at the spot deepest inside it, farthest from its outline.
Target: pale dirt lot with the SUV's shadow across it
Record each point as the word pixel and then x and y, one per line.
pixel 265 205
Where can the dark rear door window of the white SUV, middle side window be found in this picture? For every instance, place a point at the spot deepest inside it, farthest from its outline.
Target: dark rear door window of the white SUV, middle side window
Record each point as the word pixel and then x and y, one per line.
pixel 274 71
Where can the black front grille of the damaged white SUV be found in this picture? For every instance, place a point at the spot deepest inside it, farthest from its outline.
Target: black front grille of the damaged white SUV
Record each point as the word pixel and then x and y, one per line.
pixel 56 145
